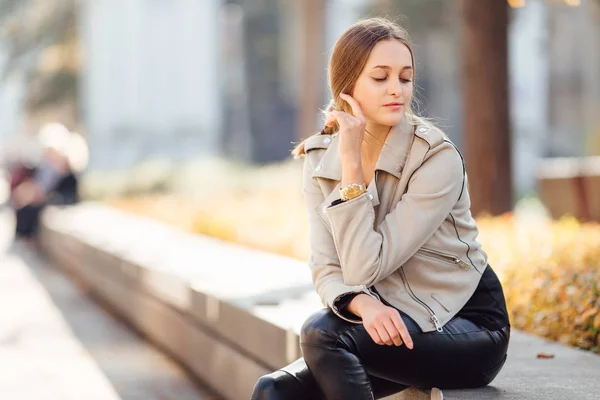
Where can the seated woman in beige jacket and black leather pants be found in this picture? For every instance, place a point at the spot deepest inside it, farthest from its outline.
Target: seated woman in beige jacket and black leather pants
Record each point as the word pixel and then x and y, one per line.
pixel 411 300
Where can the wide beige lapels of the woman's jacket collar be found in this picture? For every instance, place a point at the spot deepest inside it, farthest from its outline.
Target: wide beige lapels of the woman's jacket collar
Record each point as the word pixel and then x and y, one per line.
pixel 391 159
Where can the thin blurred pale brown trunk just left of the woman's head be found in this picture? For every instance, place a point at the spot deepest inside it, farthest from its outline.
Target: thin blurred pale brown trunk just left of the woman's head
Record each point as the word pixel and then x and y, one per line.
pixel 312 25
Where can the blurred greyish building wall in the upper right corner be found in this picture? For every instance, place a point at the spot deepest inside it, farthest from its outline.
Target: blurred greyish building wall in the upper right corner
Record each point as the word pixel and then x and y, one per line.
pixel 573 63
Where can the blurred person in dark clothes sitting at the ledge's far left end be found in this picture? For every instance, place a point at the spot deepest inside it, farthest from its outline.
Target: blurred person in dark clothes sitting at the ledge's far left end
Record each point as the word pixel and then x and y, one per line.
pixel 53 180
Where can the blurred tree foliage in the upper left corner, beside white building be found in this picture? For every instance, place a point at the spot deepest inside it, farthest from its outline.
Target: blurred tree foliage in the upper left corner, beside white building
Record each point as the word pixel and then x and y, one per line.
pixel 40 40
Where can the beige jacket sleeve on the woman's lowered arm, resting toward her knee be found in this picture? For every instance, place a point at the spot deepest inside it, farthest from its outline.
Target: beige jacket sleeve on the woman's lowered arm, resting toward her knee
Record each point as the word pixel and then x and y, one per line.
pixel 323 260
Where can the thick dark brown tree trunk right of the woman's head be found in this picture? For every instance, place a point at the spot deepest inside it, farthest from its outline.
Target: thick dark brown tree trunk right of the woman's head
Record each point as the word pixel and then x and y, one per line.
pixel 486 108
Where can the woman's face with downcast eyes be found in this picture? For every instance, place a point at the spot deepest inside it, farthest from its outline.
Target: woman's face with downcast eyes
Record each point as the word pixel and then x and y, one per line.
pixel 384 87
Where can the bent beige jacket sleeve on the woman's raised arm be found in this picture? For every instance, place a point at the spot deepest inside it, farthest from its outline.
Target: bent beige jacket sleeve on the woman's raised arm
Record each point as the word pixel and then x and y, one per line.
pixel 367 255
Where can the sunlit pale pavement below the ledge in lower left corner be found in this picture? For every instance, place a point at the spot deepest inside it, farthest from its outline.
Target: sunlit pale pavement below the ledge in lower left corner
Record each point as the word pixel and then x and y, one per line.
pixel 56 342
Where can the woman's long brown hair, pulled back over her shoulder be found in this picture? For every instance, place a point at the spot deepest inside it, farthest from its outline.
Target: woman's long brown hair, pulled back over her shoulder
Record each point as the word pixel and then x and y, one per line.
pixel 349 56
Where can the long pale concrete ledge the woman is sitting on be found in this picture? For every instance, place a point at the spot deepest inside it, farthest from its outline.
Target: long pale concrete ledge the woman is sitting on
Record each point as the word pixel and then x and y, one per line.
pixel 231 314
